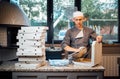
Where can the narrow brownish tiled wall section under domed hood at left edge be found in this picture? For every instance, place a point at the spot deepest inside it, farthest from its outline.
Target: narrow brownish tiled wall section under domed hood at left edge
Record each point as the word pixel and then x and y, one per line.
pixel 3 36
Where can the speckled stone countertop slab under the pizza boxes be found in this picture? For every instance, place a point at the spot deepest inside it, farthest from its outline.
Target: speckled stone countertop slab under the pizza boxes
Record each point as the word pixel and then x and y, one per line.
pixel 10 66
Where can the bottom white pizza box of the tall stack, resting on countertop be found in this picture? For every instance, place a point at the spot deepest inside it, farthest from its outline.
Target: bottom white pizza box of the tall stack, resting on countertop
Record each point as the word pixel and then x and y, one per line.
pixel 32 65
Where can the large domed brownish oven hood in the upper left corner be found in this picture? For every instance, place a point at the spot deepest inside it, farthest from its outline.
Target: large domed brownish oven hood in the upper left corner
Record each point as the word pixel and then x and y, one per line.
pixel 12 14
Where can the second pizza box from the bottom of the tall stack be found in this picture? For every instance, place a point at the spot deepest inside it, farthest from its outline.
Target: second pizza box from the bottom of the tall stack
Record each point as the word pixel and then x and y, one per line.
pixel 32 58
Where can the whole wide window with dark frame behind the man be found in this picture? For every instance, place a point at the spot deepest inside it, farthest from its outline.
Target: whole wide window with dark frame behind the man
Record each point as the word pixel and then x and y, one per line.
pixel 56 14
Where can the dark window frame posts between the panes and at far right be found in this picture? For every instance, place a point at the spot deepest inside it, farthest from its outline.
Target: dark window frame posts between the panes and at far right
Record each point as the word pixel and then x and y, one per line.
pixel 50 21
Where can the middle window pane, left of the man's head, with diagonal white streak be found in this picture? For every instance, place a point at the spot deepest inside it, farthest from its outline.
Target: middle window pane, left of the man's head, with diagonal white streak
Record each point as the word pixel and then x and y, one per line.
pixel 62 12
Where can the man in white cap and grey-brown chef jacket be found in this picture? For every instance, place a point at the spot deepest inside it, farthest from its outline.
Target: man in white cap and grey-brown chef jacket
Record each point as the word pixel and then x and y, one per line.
pixel 77 38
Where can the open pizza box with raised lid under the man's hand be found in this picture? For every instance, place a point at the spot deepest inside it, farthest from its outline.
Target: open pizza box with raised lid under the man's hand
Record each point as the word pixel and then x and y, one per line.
pixel 96 56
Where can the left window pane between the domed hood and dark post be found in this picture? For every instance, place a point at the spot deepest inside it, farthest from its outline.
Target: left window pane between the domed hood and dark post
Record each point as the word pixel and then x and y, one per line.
pixel 36 10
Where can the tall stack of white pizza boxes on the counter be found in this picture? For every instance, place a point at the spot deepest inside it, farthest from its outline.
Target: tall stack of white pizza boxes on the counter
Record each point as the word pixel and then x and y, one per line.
pixel 31 50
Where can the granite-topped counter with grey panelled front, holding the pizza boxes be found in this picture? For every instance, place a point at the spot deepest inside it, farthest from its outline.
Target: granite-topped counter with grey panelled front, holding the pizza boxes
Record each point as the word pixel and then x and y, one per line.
pixel 51 72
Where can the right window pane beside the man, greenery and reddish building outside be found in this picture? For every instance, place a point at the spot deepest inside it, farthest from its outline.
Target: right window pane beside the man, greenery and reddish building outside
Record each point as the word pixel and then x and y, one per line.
pixel 103 17
